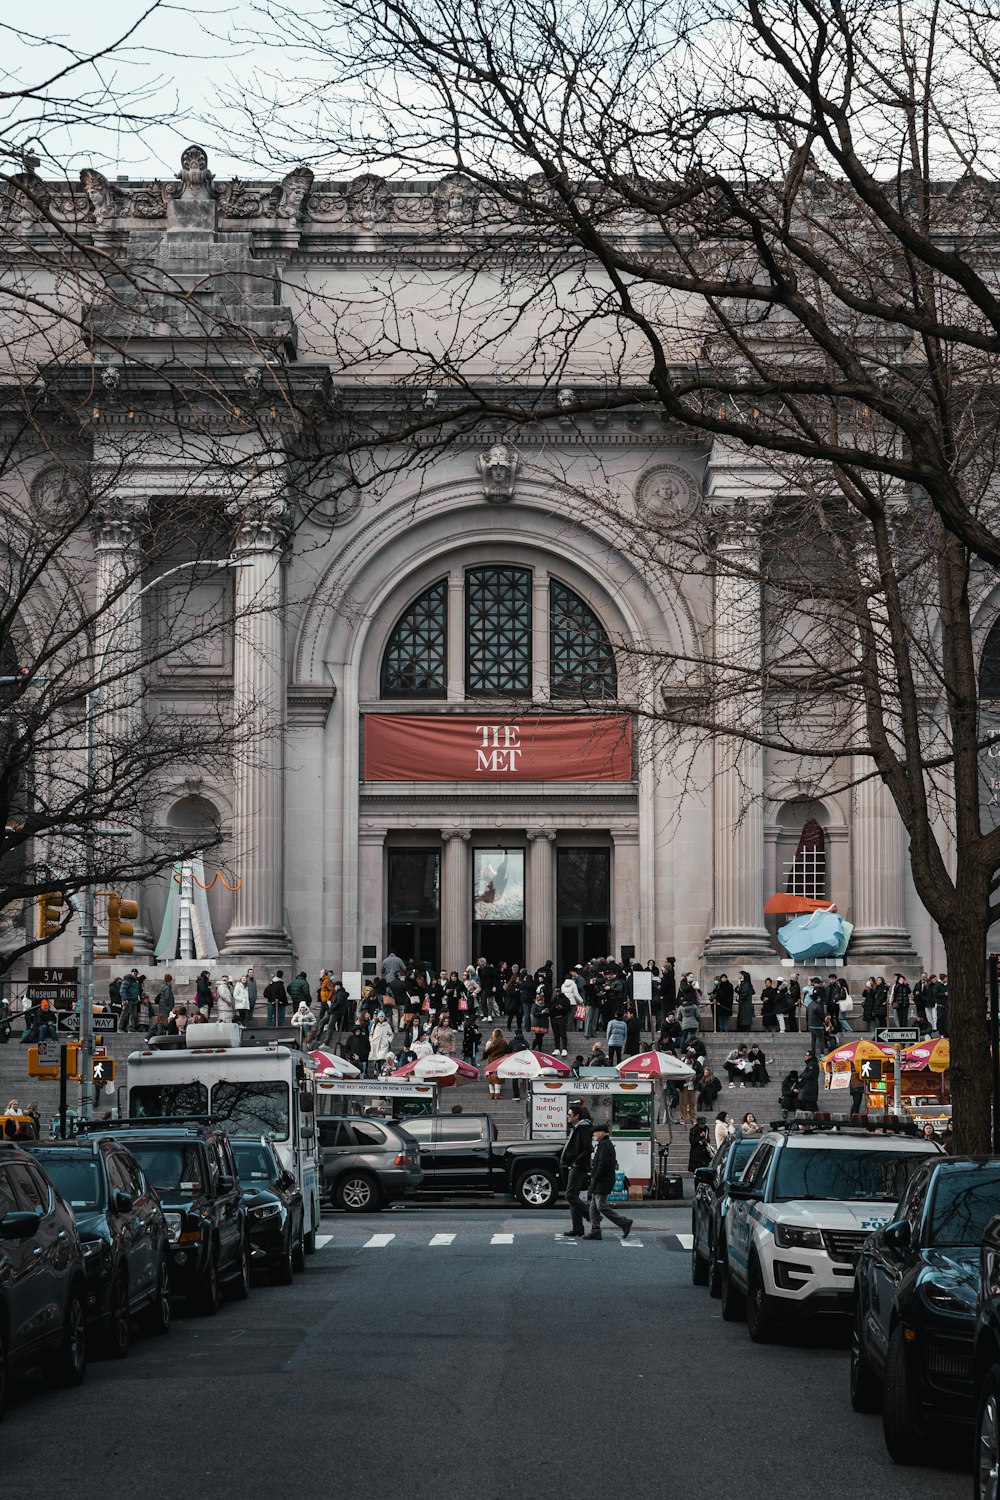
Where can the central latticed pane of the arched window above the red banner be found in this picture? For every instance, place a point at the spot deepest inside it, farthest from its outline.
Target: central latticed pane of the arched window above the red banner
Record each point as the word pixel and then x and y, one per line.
pixel 499 632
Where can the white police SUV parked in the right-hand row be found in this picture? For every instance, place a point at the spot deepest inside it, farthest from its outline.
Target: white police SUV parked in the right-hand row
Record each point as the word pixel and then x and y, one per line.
pixel 809 1198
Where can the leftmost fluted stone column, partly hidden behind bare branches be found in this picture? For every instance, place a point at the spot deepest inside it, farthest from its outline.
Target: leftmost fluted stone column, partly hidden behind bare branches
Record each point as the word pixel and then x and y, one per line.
pixel 119 578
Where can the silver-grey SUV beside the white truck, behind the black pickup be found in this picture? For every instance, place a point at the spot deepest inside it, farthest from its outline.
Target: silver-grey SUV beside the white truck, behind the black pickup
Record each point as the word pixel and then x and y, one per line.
pixel 367 1163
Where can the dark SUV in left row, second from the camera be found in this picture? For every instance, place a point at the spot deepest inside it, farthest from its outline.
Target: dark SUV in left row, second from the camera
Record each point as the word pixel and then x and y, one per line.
pixel 122 1231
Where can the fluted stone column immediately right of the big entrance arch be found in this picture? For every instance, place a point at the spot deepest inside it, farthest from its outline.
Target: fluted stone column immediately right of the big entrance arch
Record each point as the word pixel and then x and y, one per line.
pixel 738 931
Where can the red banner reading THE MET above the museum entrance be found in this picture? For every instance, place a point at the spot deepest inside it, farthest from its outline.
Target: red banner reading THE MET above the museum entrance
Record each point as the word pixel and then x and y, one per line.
pixel 557 748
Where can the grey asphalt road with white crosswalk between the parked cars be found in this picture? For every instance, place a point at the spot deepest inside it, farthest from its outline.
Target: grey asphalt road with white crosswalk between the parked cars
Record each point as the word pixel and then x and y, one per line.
pixel 433 1352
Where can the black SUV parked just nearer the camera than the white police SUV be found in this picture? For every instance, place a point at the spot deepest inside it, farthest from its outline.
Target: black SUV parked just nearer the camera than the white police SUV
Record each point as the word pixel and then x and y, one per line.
pixel 917 1294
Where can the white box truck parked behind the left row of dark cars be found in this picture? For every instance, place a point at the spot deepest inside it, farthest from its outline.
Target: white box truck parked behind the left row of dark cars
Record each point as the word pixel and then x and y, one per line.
pixel 257 1090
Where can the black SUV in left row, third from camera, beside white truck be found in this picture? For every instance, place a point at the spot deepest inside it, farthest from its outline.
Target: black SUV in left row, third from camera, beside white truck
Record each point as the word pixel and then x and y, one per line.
pixel 194 1175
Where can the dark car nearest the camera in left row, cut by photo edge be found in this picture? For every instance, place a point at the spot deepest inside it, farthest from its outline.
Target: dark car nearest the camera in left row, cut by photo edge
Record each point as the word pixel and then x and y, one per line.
pixel 43 1282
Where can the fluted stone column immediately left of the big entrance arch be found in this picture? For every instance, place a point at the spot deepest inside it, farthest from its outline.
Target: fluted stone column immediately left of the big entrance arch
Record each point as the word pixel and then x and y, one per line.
pixel 259 706
